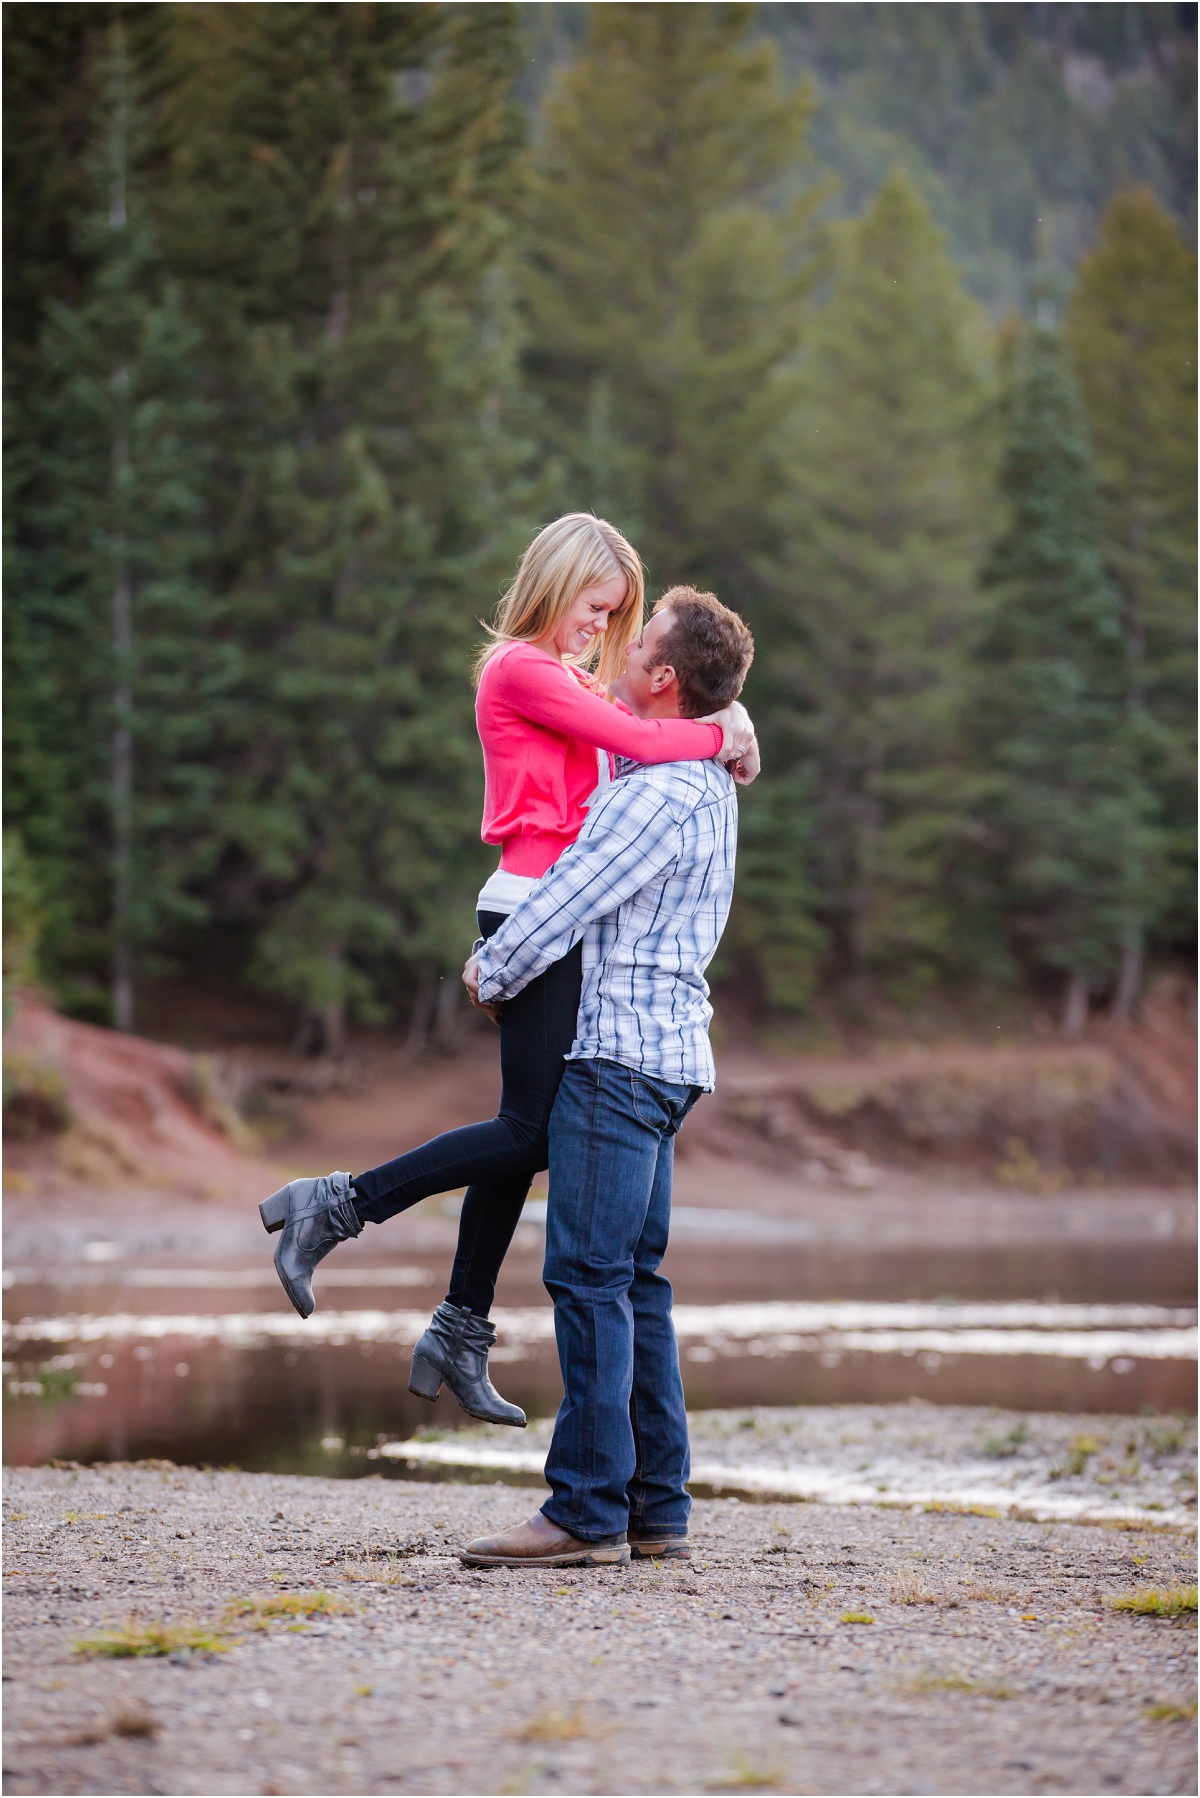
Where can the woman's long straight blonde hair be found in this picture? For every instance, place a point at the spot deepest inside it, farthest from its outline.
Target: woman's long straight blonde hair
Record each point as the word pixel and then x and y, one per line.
pixel 577 551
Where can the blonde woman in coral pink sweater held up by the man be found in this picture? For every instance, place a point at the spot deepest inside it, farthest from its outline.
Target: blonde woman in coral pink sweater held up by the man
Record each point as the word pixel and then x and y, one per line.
pixel 550 733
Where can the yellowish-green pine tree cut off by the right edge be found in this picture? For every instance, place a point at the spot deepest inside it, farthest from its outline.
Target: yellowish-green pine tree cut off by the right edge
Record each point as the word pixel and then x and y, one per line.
pixel 1133 334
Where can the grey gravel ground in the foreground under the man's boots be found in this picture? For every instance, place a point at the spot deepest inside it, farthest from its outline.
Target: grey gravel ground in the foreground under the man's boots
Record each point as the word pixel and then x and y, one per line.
pixel 990 1664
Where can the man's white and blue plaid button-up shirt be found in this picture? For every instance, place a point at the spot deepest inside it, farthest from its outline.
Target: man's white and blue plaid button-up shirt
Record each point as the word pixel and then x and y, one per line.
pixel 647 886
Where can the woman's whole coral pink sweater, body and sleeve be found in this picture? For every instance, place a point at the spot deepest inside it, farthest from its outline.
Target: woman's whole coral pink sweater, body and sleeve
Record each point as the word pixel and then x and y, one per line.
pixel 541 724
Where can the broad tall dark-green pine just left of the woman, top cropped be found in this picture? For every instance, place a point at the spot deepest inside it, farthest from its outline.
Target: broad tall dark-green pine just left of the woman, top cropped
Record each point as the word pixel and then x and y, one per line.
pixel 341 177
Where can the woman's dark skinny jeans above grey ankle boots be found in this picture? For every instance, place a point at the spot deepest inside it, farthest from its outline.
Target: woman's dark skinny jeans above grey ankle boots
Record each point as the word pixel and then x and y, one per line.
pixel 496 1161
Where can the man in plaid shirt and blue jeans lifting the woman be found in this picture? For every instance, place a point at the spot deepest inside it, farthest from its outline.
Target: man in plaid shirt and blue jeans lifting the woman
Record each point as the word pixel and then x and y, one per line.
pixel 649 887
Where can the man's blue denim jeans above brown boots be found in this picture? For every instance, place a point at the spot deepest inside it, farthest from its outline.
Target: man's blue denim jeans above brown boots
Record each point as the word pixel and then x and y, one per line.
pixel 620 1454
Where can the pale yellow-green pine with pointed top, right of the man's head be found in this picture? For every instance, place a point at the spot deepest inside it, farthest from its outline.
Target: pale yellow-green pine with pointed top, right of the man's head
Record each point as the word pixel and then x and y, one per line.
pixel 884 524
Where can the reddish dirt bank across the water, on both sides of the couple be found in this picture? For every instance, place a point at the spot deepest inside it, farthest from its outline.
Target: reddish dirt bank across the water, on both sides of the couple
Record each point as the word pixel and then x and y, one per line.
pixel 93 1110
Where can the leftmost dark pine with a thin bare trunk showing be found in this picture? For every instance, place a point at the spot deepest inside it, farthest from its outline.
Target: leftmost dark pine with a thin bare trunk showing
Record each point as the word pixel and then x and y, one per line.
pixel 109 619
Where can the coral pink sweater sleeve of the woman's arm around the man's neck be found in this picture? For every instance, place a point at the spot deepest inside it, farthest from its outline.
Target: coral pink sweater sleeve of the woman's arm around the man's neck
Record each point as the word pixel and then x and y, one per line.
pixel 546 693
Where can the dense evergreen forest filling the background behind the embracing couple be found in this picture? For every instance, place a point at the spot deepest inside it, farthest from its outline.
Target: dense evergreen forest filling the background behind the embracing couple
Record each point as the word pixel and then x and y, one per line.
pixel 879 321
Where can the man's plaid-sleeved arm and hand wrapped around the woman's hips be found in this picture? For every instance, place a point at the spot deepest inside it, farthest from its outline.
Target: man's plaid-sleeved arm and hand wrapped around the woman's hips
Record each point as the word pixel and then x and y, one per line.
pixel 629 837
